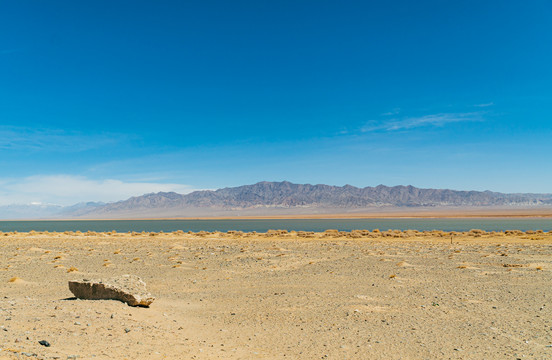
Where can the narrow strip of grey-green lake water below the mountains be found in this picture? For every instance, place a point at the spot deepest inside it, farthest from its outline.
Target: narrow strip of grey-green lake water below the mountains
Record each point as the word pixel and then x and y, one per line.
pixel 487 224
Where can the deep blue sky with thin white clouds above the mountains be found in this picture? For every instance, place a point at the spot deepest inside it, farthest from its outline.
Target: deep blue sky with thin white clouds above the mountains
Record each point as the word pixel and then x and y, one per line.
pixel 102 100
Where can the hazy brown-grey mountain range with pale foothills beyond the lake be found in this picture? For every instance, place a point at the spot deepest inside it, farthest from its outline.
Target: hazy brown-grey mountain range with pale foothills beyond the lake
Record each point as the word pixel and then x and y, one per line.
pixel 278 198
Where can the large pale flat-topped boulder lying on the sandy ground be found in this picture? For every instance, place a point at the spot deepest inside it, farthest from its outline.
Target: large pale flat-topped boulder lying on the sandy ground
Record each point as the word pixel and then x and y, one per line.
pixel 126 288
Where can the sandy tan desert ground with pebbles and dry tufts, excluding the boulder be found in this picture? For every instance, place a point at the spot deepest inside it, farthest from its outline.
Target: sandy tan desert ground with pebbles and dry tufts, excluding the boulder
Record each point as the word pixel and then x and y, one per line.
pixel 280 295
